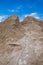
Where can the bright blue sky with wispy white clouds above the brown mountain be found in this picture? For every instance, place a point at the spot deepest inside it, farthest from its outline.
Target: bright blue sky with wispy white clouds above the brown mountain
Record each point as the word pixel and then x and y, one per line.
pixel 21 8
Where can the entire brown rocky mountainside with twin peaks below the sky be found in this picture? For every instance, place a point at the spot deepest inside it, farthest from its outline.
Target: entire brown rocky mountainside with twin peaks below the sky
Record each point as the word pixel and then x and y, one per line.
pixel 21 43
